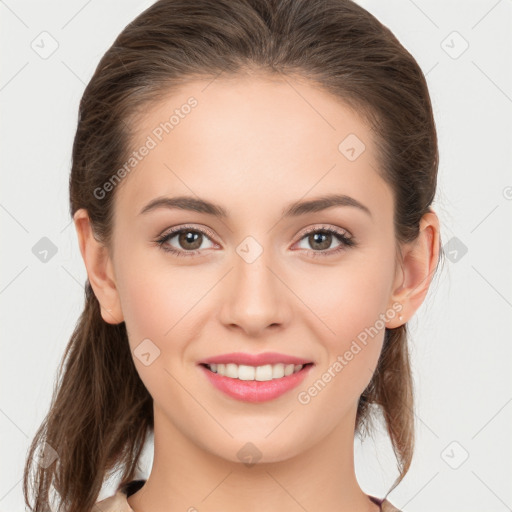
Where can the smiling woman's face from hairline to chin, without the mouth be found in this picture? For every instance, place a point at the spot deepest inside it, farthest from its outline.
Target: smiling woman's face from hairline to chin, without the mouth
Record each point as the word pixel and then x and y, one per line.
pixel 314 283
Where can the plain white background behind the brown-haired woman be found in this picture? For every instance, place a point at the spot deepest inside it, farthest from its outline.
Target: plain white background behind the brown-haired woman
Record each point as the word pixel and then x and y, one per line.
pixel 461 336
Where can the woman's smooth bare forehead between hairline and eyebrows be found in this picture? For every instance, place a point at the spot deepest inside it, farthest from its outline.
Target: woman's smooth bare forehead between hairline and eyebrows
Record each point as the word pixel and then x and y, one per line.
pixel 250 141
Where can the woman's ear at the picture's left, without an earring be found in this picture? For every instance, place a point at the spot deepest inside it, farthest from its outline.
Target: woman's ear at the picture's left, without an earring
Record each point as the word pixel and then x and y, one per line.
pixel 99 269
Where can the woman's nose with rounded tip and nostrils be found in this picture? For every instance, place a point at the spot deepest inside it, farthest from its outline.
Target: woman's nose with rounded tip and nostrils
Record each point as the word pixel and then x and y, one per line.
pixel 254 297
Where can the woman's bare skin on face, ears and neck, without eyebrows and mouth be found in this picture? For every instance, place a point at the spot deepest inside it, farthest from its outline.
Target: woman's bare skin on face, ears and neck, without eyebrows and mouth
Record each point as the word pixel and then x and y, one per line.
pixel 255 145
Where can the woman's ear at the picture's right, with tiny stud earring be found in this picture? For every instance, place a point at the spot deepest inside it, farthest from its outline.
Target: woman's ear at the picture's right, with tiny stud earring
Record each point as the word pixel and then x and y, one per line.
pixel 416 269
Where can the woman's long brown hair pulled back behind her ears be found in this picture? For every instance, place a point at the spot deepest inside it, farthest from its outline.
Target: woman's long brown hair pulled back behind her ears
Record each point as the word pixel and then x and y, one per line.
pixel 101 413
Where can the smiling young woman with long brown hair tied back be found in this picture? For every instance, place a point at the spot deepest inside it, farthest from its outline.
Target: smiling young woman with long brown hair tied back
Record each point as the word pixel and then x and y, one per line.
pixel 251 187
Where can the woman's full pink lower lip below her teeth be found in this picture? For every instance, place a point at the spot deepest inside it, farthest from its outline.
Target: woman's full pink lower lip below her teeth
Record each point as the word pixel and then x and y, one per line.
pixel 254 390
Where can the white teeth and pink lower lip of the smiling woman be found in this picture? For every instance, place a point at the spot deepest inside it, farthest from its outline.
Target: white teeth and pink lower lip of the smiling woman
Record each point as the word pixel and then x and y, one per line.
pixel 255 383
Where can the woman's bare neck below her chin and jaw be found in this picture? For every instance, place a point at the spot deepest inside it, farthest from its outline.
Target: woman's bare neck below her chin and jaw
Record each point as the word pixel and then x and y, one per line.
pixel 186 477
